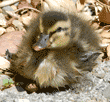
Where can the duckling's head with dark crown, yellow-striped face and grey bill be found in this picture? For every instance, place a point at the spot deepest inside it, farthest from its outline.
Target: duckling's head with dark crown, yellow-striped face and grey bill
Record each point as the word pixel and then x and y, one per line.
pixel 55 28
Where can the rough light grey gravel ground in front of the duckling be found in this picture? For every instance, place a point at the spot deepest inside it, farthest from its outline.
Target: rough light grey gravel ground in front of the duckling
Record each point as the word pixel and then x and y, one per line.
pixel 96 88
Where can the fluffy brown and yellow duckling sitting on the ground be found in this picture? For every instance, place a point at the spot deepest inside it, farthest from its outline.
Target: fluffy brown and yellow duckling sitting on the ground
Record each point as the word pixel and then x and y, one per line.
pixel 56 49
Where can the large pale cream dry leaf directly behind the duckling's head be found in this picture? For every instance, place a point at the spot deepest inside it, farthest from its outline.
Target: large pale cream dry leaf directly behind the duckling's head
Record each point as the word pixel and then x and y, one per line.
pixel 59 5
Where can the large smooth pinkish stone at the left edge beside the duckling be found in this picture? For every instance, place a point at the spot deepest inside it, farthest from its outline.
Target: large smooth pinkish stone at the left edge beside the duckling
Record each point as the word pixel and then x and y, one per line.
pixel 10 41
